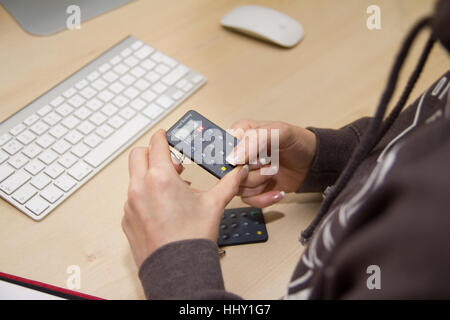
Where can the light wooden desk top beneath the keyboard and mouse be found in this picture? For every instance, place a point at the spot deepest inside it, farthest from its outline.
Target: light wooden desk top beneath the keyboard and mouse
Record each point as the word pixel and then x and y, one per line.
pixel 333 76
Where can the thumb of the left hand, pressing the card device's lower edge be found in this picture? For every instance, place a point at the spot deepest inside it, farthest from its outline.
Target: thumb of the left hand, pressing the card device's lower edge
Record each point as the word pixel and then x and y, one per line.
pixel 228 186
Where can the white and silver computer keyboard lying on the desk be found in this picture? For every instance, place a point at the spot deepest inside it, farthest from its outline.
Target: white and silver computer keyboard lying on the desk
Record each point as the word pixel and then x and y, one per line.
pixel 55 144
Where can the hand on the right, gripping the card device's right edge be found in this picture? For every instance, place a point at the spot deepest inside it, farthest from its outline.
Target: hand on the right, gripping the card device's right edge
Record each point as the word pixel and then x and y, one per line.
pixel 267 183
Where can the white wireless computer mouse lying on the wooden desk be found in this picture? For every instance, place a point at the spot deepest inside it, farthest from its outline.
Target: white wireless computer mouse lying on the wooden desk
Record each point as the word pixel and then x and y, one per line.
pixel 264 23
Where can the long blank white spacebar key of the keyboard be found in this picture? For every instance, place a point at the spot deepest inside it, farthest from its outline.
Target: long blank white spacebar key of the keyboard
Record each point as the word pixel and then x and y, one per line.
pixel 117 140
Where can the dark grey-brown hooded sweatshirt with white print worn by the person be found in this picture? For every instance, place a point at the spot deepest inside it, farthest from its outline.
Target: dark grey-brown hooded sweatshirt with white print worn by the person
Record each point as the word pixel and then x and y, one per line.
pixel 392 219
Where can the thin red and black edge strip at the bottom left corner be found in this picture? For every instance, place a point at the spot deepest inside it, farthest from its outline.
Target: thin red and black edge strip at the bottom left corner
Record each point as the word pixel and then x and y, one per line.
pixel 46 288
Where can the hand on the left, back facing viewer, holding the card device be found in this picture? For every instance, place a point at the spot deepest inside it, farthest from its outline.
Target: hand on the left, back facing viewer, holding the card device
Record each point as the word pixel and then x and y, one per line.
pixel 162 208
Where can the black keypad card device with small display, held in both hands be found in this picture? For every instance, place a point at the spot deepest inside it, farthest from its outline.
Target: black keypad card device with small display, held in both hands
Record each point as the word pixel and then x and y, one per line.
pixel 203 142
